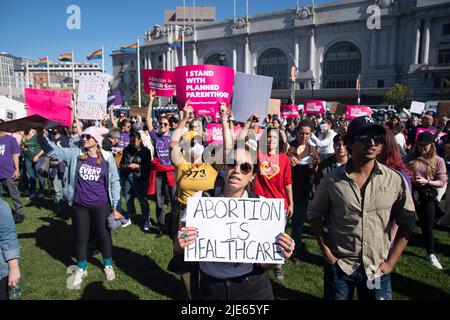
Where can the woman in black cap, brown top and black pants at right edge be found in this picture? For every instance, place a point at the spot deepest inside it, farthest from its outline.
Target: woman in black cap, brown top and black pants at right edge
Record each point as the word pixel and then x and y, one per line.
pixel 429 173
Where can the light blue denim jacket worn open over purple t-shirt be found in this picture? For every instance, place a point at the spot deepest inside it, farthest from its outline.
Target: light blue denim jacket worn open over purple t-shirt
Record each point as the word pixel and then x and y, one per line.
pixel 70 157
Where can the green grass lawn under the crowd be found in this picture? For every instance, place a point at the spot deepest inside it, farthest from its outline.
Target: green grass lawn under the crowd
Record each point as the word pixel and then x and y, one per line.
pixel 140 261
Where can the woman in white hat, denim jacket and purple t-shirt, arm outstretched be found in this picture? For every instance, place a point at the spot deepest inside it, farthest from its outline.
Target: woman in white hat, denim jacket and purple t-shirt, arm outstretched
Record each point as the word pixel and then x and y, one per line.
pixel 93 190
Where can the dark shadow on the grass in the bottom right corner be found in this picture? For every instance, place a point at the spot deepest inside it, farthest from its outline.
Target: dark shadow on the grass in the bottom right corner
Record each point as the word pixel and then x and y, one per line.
pixel 416 290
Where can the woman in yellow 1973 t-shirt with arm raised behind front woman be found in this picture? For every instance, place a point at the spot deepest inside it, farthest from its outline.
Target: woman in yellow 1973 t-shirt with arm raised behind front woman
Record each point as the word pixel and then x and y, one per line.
pixel 193 175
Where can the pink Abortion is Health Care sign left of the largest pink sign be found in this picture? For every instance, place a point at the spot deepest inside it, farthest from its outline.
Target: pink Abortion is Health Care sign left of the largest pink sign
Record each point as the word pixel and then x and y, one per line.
pixel 160 80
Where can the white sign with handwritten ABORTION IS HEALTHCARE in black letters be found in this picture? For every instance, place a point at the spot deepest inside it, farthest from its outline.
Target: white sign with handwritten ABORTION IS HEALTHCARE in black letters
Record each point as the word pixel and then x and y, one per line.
pixel 239 230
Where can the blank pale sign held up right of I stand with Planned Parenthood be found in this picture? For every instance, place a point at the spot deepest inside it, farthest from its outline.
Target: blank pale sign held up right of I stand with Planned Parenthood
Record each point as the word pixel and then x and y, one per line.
pixel 251 95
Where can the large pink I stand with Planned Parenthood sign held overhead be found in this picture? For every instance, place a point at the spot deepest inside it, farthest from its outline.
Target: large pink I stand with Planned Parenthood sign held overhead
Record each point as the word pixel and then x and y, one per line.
pixel 206 86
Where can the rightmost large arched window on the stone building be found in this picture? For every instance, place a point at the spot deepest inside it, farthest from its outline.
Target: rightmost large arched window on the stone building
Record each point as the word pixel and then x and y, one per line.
pixel 342 65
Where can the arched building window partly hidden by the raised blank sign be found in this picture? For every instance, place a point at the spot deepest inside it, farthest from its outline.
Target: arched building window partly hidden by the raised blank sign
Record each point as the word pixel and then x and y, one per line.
pixel 274 63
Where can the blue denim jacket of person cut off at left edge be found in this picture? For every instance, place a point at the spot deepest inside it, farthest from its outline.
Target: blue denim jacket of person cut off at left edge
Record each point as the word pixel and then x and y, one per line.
pixel 9 246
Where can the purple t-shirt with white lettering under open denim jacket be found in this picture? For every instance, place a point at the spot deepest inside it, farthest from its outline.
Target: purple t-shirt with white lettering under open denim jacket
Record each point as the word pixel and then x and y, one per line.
pixel 90 190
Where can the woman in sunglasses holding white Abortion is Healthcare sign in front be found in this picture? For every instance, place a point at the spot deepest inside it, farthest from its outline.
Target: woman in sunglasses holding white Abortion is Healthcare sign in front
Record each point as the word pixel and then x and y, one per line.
pixel 222 280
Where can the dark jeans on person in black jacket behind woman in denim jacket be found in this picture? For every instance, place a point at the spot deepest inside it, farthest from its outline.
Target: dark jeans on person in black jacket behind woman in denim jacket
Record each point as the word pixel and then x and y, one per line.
pixel 136 189
